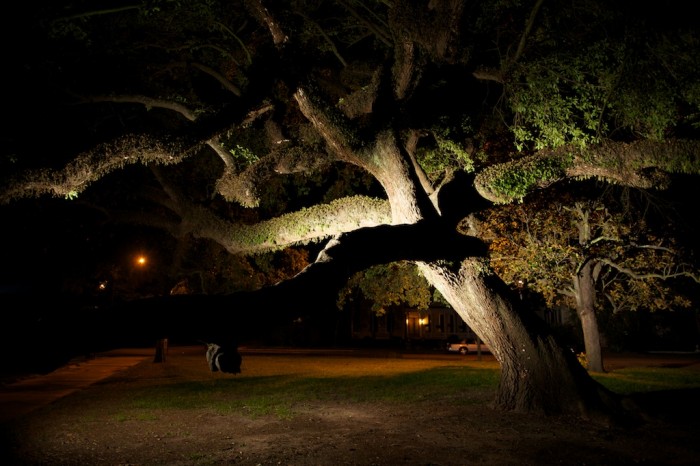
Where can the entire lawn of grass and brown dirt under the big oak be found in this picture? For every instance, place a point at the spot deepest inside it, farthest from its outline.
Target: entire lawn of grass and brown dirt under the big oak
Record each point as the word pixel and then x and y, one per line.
pixel 313 410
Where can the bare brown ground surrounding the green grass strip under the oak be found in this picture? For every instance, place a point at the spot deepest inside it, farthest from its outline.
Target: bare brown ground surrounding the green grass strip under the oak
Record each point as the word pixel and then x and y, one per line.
pixel 93 426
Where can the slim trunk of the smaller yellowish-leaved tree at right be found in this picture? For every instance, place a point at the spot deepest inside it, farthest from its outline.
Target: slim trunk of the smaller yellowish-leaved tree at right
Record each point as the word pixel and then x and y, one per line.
pixel 584 284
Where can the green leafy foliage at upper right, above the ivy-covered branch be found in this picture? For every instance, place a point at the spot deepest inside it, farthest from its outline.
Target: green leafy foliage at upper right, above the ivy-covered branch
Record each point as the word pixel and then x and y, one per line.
pixel 581 82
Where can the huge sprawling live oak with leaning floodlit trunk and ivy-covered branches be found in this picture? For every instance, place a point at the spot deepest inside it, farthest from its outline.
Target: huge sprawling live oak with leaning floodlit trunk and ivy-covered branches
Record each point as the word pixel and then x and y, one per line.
pixel 416 94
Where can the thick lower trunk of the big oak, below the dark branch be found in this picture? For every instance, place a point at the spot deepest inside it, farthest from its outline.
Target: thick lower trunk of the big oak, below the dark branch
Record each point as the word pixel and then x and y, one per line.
pixel 537 374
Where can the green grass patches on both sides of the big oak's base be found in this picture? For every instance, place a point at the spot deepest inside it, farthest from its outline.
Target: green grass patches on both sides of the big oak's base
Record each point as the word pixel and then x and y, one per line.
pixel 281 395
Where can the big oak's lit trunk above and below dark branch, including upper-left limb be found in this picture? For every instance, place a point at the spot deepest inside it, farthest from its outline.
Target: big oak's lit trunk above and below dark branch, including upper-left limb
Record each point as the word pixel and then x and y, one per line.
pixel 537 374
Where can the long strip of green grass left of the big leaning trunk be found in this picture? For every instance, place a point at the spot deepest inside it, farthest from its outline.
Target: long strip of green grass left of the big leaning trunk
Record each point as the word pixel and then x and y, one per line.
pixel 276 395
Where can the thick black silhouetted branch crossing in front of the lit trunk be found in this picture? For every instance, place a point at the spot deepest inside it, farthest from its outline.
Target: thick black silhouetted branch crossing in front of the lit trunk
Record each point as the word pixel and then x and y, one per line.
pixel 228 318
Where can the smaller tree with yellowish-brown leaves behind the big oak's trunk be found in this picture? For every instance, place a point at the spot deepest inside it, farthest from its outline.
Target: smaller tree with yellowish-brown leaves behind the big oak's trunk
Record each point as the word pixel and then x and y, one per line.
pixel 588 254
